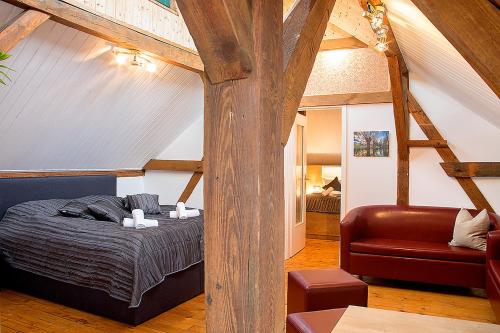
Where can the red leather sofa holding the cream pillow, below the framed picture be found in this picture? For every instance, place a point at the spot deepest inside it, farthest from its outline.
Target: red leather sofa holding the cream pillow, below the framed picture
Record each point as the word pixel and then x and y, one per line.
pixel 411 243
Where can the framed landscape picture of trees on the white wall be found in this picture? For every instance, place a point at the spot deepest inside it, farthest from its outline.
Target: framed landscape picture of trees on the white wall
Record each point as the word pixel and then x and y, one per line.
pixel 371 144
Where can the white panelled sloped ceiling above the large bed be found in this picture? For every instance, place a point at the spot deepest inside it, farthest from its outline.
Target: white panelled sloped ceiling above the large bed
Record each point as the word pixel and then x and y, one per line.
pixel 70 106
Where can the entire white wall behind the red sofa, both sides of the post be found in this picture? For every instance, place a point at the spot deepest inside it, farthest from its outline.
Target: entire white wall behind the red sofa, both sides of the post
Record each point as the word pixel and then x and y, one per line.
pixel 373 180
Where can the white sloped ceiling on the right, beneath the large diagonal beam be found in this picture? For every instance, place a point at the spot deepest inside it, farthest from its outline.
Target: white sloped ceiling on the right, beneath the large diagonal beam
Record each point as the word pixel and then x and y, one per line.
pixel 428 54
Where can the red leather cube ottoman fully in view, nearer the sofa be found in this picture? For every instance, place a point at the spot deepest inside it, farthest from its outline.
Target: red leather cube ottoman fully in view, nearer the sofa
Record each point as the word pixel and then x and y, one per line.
pixel 323 289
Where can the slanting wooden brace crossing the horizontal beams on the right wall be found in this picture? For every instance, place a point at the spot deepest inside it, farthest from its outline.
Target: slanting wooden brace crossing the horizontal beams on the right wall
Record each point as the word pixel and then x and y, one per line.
pixel 467 184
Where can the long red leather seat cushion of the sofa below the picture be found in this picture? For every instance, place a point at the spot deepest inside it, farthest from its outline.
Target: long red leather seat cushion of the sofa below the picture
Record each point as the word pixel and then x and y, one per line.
pixel 417 249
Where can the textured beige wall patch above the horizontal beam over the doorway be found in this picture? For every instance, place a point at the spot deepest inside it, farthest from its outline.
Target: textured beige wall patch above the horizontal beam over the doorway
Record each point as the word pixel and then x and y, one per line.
pixel 348 71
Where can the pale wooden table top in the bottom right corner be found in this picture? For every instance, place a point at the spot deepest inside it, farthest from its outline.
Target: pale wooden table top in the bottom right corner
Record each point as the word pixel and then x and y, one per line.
pixel 369 320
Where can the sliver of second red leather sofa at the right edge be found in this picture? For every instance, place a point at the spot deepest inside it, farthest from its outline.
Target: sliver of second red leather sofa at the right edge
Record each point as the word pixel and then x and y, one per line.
pixel 493 271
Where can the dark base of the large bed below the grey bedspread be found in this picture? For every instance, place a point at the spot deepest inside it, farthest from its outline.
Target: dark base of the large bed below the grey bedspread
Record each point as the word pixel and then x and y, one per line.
pixel 174 290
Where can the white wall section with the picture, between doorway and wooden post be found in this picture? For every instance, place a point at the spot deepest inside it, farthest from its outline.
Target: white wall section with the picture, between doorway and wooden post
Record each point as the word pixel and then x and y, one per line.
pixel 368 180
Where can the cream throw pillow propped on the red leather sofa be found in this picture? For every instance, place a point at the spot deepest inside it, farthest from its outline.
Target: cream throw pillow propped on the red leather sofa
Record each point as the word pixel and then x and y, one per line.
pixel 471 232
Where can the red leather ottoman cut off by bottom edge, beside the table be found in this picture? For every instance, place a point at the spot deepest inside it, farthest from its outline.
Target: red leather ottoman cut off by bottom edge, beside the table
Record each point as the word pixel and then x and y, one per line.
pixel 313 322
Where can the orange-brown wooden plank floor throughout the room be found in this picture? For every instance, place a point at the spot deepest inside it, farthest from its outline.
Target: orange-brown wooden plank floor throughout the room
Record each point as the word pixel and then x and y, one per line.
pixel 22 313
